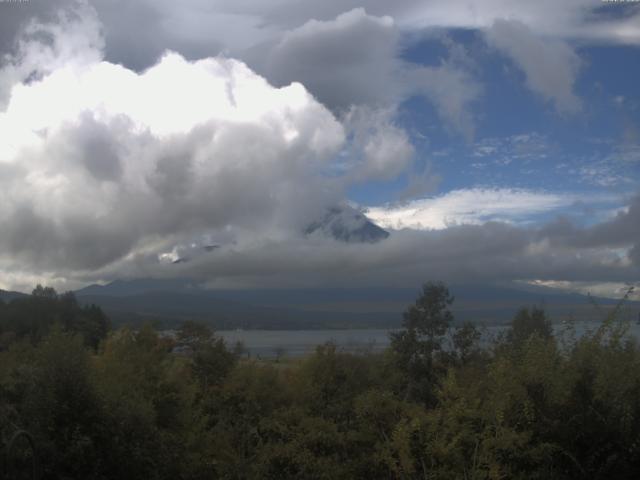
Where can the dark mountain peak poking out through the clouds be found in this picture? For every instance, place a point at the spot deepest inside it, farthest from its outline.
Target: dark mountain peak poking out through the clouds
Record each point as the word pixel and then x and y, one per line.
pixel 347 224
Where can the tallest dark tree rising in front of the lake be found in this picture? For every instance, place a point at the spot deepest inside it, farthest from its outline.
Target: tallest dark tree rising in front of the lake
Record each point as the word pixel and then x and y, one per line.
pixel 418 344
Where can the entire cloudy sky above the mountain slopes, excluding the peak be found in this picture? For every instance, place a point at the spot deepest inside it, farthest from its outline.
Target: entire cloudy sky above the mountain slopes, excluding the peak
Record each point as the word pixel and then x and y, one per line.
pixel 497 141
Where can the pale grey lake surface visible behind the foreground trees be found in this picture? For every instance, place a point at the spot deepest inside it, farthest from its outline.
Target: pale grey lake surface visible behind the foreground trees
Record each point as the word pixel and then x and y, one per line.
pixel 296 343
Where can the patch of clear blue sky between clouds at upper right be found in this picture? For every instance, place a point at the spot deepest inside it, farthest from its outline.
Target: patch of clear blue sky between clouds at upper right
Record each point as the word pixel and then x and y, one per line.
pixel 520 140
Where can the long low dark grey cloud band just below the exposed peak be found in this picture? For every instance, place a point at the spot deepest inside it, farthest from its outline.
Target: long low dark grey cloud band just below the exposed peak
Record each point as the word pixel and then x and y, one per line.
pixel 471 253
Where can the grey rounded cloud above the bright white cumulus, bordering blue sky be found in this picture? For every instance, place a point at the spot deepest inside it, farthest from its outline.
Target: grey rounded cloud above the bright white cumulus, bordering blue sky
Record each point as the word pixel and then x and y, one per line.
pixel 348 60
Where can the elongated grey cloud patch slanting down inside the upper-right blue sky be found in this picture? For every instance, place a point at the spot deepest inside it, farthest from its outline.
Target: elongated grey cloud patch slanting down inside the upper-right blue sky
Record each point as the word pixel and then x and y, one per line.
pixel 550 66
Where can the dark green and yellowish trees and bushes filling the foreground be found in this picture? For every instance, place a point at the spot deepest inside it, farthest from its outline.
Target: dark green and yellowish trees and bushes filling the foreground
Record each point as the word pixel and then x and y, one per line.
pixel 145 405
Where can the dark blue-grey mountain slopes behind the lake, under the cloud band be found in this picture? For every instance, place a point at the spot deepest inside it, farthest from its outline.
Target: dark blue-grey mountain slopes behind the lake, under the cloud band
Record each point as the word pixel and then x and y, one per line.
pixel 171 301
